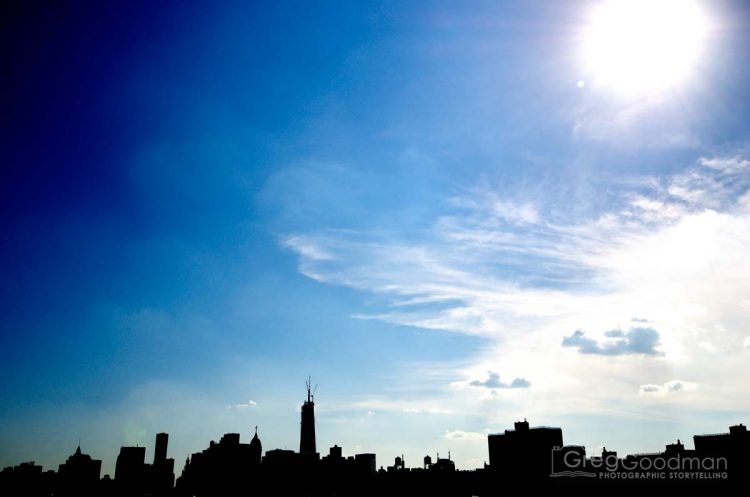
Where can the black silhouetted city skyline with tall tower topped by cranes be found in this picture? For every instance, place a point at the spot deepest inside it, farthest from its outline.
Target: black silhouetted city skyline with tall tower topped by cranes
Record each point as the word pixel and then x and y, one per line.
pixel 526 456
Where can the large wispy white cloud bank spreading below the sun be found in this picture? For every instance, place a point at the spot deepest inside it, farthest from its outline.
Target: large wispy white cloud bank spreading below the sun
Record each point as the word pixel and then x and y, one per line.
pixel 670 249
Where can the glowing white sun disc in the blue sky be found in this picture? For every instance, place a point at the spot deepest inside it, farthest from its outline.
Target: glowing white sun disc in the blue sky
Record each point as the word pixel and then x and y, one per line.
pixel 643 46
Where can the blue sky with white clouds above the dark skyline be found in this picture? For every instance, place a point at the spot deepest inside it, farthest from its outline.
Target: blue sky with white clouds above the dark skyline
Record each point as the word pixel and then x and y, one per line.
pixel 438 210
